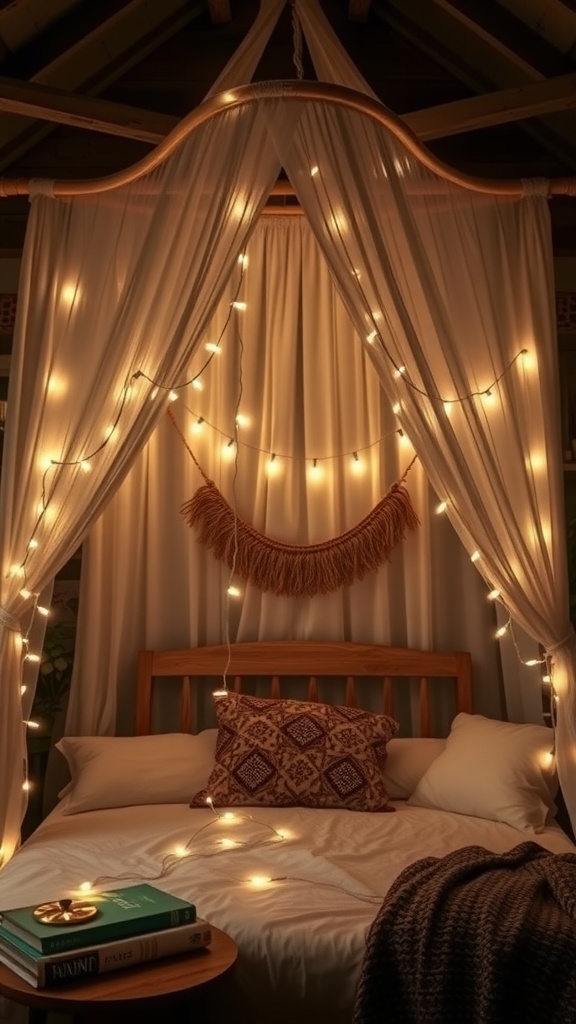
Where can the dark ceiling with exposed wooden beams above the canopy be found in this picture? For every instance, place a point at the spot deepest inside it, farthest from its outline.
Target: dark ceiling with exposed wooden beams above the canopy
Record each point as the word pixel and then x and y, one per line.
pixel 89 88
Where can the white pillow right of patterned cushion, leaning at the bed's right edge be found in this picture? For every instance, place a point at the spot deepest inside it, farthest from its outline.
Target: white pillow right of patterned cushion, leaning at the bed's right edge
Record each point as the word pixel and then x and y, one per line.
pixel 493 771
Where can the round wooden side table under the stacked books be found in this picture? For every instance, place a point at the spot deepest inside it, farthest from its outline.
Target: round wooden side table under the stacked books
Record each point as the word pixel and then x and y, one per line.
pixel 124 995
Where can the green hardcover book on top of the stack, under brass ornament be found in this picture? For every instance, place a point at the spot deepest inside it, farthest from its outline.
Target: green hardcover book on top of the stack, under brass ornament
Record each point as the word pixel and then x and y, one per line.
pixel 121 913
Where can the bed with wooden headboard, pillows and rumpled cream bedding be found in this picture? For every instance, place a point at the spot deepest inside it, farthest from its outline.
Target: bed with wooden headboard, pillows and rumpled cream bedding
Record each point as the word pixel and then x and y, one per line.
pixel 297 869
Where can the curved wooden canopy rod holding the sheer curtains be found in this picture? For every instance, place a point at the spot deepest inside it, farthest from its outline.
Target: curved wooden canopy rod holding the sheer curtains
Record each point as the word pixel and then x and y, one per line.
pixel 340 96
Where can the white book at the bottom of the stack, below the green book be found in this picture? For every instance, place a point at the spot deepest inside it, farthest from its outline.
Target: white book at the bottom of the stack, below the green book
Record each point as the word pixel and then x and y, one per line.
pixel 77 965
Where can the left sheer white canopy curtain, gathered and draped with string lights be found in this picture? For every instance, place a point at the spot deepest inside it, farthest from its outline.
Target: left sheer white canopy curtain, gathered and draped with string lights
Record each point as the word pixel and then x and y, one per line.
pixel 115 292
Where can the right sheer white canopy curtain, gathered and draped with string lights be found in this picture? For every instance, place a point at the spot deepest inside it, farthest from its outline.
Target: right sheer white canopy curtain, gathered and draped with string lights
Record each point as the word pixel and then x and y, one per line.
pixel 448 289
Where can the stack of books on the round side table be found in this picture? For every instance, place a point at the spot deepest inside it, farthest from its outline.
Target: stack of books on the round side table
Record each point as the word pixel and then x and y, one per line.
pixel 131 926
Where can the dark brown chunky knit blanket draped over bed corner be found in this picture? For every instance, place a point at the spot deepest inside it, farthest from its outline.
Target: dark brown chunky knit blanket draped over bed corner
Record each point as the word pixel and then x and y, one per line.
pixel 475 938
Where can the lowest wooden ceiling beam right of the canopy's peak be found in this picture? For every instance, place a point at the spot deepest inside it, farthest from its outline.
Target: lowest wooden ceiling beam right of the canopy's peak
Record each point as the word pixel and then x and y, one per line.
pixel 499 108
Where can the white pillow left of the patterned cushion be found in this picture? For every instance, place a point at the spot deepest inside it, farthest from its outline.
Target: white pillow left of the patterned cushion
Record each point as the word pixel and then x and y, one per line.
pixel 119 772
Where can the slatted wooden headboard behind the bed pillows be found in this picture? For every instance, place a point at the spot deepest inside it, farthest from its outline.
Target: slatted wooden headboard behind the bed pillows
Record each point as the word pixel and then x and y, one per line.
pixel 308 660
